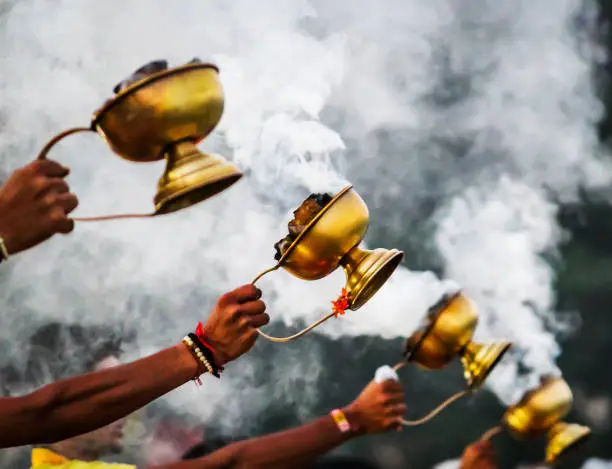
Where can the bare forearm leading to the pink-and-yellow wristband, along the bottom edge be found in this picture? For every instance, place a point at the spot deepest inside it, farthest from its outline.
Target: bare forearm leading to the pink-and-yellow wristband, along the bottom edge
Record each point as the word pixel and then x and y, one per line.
pixel 290 449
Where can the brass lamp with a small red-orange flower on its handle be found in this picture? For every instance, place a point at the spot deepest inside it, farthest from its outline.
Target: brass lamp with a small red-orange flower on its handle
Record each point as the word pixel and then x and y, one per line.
pixel 330 240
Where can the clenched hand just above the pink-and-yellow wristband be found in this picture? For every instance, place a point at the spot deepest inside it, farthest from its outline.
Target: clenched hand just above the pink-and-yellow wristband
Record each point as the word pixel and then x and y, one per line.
pixel 378 408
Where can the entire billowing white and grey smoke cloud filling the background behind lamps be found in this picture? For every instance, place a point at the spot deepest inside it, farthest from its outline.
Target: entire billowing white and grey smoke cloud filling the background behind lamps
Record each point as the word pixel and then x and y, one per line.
pixel 316 92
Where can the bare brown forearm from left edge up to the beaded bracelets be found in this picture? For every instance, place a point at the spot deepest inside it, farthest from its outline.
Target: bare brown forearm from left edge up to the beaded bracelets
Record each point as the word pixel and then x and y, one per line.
pixel 79 405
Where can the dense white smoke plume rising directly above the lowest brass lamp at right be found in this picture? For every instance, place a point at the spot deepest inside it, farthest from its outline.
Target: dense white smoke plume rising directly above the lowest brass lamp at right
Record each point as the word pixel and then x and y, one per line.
pixel 509 225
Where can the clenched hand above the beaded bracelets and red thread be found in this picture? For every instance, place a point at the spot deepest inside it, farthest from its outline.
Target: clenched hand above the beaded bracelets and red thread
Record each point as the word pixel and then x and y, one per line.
pixel 231 326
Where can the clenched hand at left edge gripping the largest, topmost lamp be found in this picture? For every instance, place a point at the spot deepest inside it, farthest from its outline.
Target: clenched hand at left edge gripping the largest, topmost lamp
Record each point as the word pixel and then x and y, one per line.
pixel 35 202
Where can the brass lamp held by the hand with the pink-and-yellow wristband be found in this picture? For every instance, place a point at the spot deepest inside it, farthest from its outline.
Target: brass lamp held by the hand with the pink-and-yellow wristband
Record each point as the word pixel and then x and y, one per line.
pixel 446 334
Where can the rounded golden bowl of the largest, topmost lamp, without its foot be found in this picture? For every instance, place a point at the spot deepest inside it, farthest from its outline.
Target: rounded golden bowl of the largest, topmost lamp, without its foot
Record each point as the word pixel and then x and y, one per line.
pixel 179 104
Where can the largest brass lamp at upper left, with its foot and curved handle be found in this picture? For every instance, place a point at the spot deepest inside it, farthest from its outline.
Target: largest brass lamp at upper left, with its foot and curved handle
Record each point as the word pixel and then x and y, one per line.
pixel 163 113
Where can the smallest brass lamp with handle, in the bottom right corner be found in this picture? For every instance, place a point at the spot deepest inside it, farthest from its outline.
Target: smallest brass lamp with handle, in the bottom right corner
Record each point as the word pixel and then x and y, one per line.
pixel 540 413
